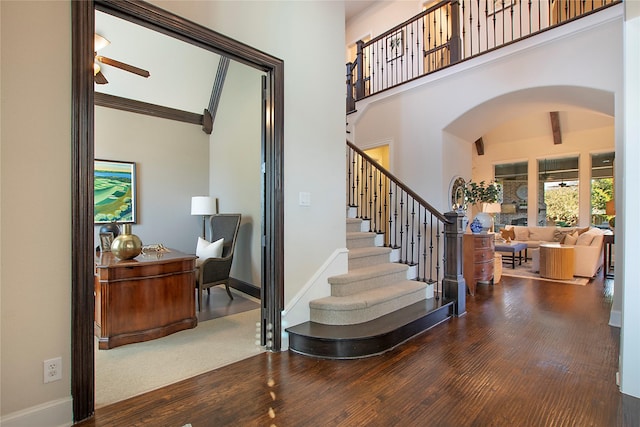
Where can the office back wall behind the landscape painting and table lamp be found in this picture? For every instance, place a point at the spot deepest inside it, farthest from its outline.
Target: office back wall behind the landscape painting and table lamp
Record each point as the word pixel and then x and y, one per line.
pixel 172 165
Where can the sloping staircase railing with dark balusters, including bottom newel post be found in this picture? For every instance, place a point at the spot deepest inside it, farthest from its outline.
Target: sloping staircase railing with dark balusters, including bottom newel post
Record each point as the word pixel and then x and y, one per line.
pixel 427 240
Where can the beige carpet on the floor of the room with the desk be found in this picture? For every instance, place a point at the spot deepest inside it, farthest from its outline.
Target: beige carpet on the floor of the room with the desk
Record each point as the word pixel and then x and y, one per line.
pixel 133 369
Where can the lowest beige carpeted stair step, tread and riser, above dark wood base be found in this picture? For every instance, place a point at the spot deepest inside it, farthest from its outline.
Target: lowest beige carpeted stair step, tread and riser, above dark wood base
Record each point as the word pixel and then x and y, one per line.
pixel 368 305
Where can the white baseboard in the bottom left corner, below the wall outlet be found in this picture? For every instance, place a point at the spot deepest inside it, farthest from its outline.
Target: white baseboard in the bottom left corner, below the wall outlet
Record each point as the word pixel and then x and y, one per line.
pixel 57 413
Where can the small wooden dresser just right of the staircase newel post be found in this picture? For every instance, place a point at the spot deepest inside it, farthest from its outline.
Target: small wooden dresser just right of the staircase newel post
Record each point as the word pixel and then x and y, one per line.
pixel 478 258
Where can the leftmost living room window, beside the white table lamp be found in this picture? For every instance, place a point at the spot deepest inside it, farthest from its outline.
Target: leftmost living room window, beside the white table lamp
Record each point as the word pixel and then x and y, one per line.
pixel 513 177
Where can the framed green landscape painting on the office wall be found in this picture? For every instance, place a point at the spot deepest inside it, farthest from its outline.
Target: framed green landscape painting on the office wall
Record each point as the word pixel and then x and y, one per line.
pixel 114 192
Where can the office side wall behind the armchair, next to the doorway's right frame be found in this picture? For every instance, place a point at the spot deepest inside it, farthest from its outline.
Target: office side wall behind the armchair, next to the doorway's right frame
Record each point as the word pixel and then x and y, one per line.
pixel 235 176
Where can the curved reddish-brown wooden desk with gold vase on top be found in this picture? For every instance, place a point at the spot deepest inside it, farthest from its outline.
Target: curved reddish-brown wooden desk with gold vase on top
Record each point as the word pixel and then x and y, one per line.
pixel 148 297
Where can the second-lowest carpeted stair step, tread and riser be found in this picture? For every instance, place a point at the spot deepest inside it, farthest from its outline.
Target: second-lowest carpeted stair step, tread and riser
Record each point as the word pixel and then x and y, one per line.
pixel 367 278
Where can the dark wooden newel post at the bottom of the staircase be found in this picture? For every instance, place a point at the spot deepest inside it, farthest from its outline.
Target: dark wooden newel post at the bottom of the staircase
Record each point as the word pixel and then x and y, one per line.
pixel 453 283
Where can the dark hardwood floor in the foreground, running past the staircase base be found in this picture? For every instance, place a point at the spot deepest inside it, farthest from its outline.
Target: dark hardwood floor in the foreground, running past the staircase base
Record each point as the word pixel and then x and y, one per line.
pixel 527 353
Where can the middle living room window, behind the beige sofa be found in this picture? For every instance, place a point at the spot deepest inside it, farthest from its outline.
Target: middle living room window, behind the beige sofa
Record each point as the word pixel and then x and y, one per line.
pixel 558 184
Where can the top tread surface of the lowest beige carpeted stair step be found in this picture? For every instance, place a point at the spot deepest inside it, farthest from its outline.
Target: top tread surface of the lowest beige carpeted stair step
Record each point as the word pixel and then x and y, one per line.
pixel 368 298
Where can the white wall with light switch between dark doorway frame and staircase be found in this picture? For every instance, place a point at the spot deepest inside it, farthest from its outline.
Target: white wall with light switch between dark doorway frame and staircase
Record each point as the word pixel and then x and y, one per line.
pixel 314 134
